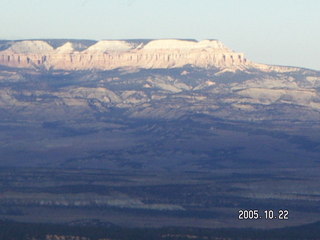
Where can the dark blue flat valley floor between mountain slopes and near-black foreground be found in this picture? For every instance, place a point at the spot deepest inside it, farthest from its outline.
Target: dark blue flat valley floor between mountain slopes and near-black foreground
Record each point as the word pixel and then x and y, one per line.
pixel 207 199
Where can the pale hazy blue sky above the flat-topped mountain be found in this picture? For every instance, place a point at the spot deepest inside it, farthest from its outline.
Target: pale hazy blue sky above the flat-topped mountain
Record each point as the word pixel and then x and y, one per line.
pixel 282 32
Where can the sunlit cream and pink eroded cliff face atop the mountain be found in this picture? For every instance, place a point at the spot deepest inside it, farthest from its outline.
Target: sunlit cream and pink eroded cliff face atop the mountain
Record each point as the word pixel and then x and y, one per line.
pixel 111 54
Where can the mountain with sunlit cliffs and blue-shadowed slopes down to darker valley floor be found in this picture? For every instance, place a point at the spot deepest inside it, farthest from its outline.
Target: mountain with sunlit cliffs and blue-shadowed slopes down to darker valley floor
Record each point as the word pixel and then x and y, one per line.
pixel 138 103
